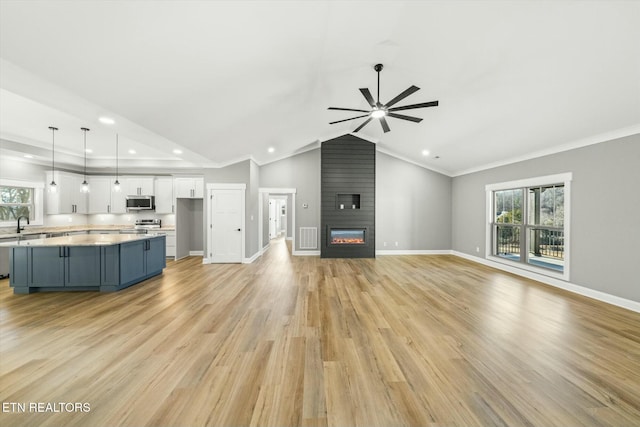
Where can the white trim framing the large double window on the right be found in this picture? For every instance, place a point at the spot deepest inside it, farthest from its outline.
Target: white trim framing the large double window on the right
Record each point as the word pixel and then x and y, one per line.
pixel 562 178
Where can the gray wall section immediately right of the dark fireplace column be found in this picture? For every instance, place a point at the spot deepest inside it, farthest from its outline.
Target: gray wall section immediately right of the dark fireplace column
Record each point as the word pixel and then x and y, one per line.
pixel 413 206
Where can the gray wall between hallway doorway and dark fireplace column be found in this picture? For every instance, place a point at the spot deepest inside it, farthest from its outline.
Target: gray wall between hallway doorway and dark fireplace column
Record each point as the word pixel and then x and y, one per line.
pixel 301 172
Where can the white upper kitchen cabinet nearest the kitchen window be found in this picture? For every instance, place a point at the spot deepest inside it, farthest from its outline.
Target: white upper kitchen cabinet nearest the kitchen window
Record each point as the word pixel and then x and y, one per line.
pixel 68 198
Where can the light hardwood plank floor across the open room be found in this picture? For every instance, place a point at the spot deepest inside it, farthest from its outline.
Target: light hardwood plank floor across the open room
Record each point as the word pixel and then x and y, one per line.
pixel 304 341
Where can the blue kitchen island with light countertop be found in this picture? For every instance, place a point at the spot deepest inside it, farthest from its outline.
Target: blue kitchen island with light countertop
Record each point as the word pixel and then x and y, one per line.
pixel 90 262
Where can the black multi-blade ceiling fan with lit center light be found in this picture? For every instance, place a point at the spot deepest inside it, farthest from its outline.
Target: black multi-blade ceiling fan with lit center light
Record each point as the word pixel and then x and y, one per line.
pixel 380 111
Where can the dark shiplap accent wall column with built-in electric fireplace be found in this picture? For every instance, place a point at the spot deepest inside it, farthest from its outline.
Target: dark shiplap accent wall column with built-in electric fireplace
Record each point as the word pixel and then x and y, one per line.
pixel 348 168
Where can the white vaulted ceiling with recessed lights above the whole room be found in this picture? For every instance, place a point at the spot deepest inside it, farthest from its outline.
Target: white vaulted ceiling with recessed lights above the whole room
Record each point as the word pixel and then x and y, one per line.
pixel 224 81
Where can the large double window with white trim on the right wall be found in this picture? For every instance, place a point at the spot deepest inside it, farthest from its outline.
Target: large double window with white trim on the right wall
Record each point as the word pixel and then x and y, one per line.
pixel 529 223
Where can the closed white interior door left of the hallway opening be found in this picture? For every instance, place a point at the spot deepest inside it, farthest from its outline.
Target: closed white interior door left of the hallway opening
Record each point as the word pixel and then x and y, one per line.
pixel 226 226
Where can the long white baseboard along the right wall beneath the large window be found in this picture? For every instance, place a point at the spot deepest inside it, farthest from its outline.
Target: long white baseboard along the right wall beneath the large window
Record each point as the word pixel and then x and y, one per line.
pixel 568 286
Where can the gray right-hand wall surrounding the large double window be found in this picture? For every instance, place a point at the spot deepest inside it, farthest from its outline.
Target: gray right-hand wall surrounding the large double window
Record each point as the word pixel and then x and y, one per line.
pixel 605 207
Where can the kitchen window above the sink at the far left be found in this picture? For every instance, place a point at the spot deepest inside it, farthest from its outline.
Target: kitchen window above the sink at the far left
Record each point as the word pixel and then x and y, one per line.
pixel 20 198
